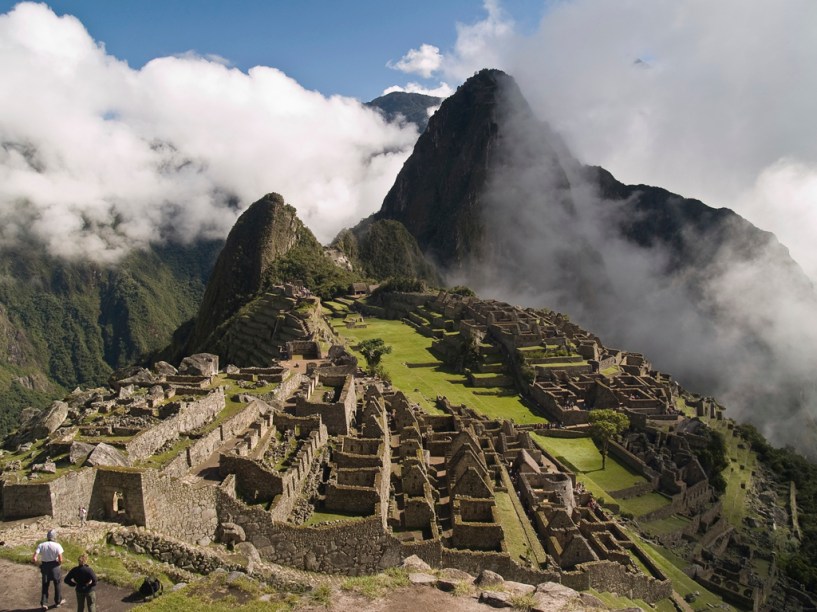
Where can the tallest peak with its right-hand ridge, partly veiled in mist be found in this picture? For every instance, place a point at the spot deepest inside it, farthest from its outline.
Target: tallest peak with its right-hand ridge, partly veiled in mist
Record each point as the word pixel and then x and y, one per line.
pixel 493 196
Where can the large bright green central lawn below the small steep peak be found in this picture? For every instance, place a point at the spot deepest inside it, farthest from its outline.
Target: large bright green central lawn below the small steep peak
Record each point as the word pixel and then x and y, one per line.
pixel 423 384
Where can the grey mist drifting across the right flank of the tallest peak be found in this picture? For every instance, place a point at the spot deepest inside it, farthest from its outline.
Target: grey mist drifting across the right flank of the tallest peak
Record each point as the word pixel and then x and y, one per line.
pixel 736 322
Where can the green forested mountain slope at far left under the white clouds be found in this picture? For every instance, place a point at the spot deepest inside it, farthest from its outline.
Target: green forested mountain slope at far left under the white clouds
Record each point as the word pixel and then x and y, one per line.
pixel 64 324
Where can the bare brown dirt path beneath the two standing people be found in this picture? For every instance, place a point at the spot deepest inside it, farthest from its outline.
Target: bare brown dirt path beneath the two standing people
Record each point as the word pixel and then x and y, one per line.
pixel 20 591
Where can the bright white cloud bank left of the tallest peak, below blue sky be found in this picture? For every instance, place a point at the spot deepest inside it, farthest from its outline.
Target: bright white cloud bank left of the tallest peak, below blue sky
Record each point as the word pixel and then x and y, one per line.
pixel 97 158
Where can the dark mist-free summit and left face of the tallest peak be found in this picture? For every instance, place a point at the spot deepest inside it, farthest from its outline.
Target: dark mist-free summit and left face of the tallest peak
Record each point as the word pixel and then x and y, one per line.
pixel 438 193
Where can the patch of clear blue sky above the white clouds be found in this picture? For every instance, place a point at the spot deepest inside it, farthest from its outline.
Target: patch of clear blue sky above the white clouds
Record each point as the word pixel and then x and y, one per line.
pixel 335 47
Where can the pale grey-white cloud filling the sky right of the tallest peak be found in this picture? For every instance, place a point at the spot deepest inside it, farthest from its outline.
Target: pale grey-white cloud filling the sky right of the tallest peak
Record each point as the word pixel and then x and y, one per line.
pixel 712 102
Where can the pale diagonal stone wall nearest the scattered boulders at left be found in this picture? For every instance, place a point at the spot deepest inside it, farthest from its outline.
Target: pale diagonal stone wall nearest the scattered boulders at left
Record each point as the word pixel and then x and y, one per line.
pixel 191 416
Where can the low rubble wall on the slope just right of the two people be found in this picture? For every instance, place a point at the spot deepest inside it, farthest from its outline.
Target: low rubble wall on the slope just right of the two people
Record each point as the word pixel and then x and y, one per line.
pixel 170 550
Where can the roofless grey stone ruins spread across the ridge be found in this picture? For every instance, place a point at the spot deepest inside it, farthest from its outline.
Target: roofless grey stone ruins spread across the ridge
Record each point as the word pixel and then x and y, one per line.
pixel 324 469
